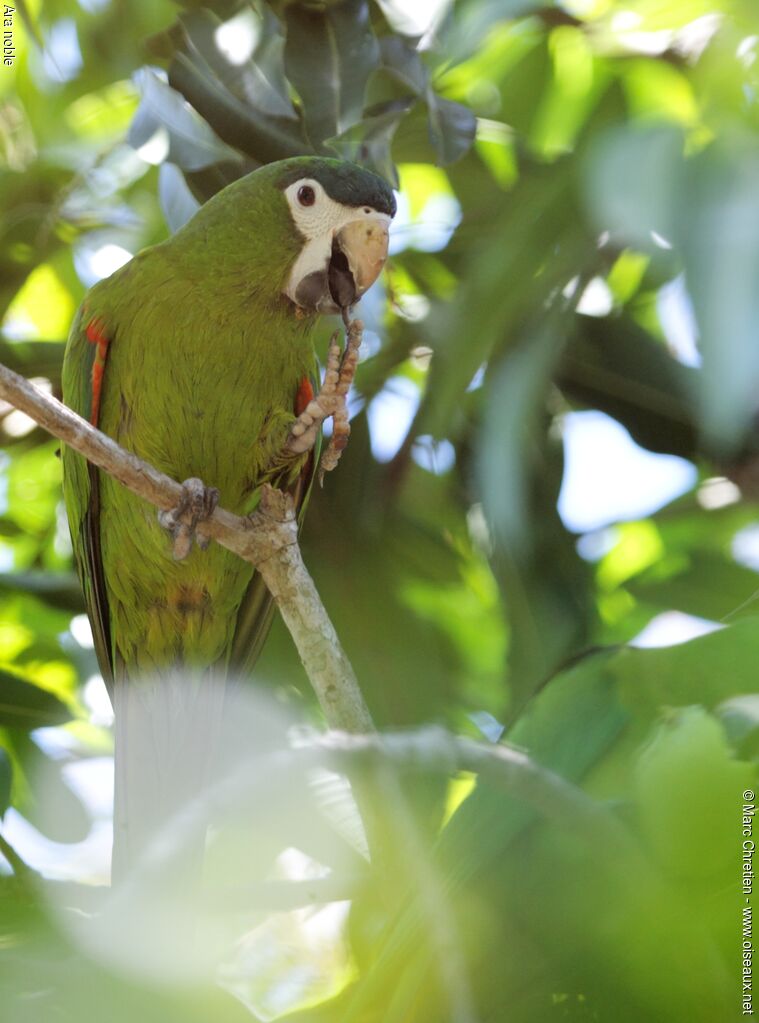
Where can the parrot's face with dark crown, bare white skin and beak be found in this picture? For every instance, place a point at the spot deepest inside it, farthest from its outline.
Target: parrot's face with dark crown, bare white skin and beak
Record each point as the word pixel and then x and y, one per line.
pixel 343 215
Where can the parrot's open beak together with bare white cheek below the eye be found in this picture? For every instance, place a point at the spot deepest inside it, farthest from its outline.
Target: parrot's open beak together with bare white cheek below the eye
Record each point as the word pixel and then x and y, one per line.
pixel 350 263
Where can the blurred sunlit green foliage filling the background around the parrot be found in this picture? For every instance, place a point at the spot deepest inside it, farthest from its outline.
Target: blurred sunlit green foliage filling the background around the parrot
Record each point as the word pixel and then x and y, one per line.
pixel 543 153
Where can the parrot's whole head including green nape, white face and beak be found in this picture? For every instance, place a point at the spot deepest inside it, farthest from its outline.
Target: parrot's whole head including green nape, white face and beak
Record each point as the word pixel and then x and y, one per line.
pixel 309 231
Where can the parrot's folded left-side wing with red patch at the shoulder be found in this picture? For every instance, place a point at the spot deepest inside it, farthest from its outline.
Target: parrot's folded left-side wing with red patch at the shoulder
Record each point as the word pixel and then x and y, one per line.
pixel 83 378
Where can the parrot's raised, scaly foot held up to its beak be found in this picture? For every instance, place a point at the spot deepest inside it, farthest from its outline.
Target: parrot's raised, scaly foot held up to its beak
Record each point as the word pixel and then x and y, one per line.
pixel 332 401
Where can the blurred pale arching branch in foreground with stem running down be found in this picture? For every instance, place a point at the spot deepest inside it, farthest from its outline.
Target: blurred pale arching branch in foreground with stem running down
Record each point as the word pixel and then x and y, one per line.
pixel 256 785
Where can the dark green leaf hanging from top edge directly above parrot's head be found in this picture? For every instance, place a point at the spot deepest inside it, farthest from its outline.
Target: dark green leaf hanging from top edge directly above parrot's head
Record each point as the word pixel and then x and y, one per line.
pixel 329 56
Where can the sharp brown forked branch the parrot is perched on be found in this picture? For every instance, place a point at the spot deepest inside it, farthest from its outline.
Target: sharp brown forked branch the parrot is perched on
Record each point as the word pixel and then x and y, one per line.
pixel 269 540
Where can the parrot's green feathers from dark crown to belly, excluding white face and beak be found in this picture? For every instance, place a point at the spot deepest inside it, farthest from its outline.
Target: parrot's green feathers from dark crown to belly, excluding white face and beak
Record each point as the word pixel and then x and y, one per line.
pixel 204 357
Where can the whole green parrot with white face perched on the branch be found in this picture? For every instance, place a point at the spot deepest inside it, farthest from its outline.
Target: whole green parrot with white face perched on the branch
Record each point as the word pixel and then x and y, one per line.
pixel 198 357
